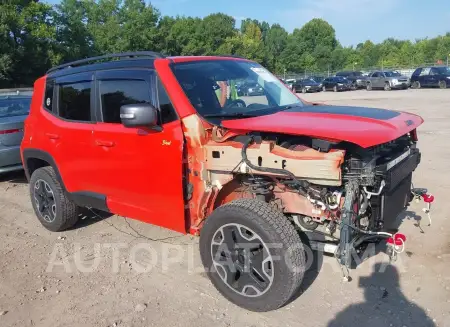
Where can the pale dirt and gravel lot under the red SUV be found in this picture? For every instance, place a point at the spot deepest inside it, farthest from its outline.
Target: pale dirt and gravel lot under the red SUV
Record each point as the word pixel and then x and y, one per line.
pixel 154 278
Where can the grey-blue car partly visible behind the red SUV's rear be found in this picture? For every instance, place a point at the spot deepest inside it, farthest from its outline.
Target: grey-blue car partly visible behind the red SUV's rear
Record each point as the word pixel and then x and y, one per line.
pixel 14 108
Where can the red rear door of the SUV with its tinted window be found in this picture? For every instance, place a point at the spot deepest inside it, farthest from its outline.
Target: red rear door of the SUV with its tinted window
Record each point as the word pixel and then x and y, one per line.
pixel 68 127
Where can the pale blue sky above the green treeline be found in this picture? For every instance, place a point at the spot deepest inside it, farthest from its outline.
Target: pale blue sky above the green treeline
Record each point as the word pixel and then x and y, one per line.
pixel 354 20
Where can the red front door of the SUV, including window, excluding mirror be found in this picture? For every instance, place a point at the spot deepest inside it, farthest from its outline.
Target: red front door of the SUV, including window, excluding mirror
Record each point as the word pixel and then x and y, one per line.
pixel 140 170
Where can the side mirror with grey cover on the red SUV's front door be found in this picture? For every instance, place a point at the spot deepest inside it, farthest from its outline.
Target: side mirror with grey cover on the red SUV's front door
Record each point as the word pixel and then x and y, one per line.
pixel 139 115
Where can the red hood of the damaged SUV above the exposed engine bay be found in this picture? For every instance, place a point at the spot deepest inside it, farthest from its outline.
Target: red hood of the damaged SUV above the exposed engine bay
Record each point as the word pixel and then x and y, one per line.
pixel 365 132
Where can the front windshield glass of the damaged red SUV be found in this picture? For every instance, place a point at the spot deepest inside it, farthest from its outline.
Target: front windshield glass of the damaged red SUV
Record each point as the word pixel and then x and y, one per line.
pixel 233 88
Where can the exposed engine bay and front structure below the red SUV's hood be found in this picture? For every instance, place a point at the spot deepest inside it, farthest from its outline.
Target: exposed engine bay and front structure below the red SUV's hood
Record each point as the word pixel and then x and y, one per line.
pixel 333 191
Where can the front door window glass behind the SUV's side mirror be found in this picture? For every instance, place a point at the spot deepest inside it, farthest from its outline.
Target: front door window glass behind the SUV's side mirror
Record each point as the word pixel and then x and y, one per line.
pixel 117 93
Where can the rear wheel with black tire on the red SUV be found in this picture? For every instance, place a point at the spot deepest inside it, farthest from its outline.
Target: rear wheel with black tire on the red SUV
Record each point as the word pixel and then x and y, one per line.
pixel 50 203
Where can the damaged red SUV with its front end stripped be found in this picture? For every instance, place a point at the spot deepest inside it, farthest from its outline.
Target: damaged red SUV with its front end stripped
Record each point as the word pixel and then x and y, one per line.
pixel 175 142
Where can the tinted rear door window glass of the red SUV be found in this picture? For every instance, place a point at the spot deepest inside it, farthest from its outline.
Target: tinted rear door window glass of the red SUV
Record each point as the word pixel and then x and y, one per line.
pixel 75 101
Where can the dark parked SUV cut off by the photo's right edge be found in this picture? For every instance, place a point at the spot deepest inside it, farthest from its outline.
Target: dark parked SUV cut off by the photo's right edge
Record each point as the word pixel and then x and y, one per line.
pixel 431 77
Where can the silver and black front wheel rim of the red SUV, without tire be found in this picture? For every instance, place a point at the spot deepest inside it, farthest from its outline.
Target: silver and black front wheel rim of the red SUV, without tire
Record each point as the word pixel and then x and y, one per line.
pixel 242 260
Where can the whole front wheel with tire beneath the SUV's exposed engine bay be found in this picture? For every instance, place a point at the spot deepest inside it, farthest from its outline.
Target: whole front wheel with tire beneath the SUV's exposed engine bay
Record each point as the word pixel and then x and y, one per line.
pixel 253 254
